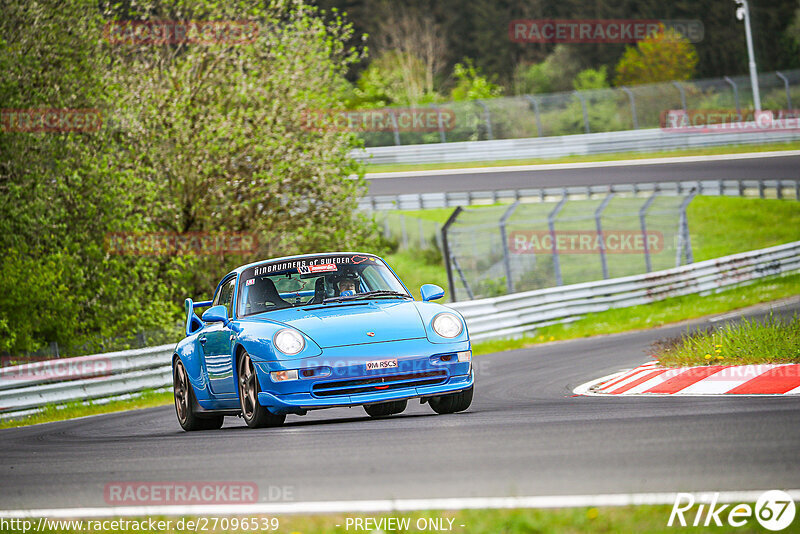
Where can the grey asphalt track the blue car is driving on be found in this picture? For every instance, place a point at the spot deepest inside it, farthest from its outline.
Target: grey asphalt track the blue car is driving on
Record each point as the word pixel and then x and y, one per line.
pixel 525 434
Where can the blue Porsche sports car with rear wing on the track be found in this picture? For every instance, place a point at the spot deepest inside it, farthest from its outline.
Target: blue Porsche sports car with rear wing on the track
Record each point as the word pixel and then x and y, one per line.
pixel 301 333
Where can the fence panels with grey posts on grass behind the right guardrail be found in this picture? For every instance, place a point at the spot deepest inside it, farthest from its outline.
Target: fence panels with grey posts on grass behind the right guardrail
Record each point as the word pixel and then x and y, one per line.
pixel 493 251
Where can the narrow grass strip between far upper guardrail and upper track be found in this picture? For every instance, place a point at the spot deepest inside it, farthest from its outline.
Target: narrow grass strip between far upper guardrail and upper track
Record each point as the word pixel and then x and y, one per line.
pixel 728 149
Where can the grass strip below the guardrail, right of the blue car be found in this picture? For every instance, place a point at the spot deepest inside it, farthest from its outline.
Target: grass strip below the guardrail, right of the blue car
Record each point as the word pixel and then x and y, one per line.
pixel 653 315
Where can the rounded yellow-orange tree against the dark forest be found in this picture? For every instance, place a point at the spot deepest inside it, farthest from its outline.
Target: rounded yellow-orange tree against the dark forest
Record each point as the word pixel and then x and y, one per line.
pixel 662 56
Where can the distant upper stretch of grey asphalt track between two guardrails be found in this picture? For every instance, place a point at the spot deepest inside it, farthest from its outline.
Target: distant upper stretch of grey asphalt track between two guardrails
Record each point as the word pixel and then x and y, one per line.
pixel 760 168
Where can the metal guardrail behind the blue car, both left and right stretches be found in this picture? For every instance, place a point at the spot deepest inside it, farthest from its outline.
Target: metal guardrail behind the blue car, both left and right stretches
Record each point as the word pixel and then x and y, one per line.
pixel 150 368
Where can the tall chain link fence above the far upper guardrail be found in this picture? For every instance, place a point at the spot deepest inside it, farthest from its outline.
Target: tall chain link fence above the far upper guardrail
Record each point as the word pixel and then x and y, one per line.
pixel 578 112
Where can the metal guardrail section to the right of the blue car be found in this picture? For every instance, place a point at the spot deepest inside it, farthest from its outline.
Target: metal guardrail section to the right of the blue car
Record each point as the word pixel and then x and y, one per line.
pixel 513 315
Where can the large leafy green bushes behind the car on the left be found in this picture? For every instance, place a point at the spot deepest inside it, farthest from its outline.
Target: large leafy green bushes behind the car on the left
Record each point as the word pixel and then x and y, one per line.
pixel 197 138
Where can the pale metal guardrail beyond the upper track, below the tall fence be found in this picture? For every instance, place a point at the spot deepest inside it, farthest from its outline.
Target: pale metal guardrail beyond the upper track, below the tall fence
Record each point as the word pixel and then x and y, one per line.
pixel 651 140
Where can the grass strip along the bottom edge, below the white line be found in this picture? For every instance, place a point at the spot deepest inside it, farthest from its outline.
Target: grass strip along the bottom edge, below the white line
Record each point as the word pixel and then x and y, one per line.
pixel 651 519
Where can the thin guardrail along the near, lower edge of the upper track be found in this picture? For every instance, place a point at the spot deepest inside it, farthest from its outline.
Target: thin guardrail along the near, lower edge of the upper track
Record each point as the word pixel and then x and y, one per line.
pixel 739 188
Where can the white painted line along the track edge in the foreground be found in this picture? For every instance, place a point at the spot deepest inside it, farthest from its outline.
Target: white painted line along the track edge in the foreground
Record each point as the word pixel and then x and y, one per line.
pixel 389 506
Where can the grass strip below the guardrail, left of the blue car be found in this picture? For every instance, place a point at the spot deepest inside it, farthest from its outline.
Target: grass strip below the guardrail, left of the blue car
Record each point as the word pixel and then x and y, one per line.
pixel 53 412
